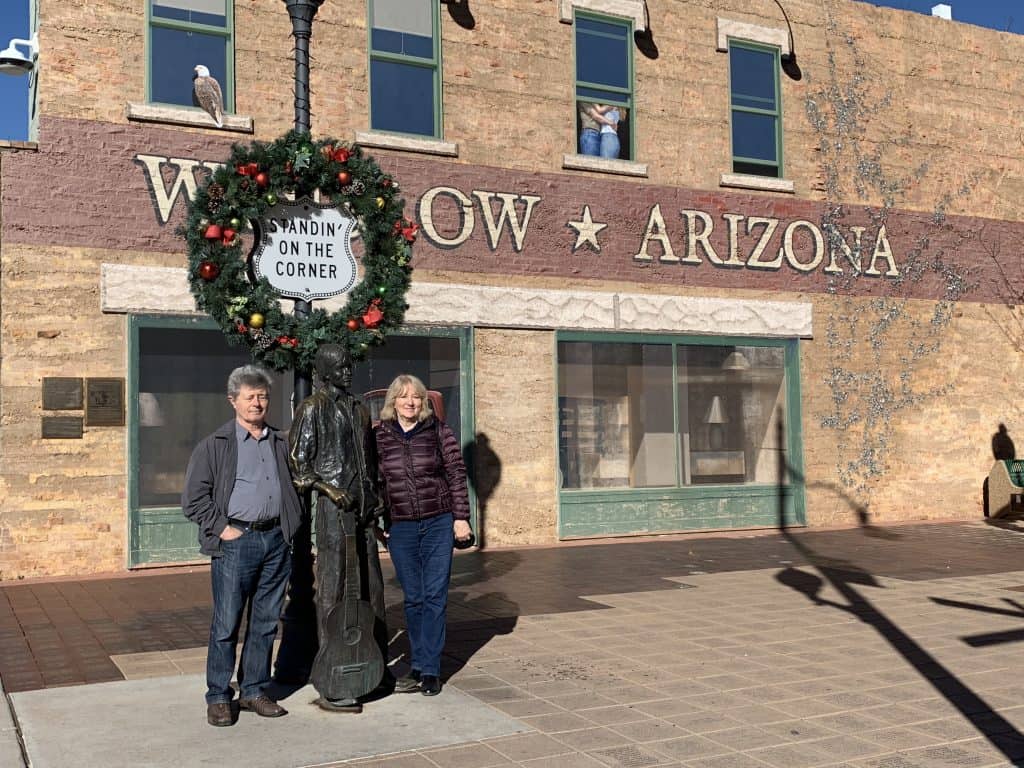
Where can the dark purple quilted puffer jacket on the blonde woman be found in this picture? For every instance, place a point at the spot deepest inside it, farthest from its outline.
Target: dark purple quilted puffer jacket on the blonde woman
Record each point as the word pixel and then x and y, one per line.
pixel 422 472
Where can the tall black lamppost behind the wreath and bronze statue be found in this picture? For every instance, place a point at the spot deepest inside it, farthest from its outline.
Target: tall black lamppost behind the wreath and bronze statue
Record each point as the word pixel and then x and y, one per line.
pixel 298 637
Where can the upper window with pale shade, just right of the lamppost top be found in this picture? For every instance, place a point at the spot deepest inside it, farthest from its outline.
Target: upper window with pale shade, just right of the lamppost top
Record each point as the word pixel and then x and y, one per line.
pixel 405 67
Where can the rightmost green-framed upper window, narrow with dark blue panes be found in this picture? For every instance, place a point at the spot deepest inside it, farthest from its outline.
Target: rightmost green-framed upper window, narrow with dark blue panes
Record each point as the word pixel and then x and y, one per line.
pixel 754 95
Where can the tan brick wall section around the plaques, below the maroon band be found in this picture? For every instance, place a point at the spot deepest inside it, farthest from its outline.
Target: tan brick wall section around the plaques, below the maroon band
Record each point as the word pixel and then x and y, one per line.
pixel 64 501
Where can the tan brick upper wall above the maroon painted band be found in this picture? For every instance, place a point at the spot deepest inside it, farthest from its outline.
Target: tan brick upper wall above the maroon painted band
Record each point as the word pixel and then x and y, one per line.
pixel 915 92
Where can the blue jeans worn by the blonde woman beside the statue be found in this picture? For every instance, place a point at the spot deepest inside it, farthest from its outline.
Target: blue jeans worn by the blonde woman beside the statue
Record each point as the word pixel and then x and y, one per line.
pixel 421 551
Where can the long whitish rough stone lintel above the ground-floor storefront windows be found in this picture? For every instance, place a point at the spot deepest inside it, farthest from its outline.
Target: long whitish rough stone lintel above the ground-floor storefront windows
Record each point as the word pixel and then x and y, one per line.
pixel 127 288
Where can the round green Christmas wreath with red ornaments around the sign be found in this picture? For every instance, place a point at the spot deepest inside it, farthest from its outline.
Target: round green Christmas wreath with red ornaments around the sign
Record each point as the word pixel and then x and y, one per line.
pixel 248 310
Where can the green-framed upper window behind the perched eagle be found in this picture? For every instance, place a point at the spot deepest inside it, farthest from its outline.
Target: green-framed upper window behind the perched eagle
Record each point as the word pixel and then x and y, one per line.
pixel 184 34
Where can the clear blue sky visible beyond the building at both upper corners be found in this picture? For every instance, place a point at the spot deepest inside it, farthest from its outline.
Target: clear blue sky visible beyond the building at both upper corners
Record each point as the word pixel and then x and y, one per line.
pixel 998 15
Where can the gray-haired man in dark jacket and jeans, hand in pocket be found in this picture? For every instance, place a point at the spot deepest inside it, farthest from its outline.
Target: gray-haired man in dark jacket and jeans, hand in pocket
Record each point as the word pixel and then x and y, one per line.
pixel 240 493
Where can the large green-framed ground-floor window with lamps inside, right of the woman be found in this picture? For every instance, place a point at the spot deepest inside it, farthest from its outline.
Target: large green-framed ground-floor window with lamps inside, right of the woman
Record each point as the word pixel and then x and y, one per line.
pixel 674 499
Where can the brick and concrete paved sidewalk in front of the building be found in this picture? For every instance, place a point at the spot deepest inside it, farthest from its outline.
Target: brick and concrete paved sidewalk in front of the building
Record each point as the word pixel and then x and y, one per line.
pixel 861 649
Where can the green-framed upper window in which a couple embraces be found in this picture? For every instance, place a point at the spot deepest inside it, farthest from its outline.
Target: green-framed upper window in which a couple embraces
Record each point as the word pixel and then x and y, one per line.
pixel 600 79
